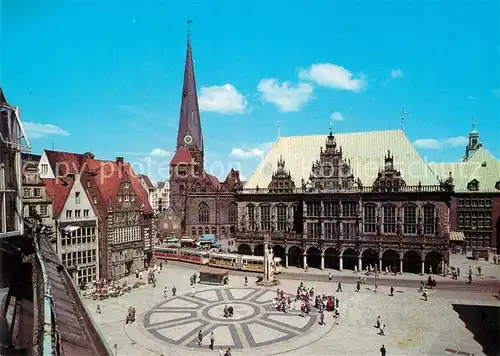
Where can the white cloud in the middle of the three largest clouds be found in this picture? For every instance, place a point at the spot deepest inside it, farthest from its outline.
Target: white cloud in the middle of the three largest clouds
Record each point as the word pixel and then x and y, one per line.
pixel 287 97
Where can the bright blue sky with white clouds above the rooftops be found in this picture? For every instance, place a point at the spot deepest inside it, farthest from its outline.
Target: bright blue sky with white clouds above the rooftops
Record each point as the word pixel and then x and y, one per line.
pixel 106 76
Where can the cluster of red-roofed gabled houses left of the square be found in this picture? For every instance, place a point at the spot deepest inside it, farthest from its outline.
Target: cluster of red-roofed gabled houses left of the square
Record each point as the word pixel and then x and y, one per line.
pixel 108 203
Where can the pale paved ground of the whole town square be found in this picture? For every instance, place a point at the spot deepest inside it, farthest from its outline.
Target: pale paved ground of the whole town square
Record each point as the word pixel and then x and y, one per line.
pixel 169 326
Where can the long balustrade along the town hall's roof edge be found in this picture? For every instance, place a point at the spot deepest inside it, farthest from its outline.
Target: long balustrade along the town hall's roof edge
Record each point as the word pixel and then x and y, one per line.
pixel 367 189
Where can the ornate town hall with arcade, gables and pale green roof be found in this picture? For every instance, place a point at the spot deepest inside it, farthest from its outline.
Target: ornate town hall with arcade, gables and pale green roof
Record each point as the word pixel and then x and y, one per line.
pixel 344 215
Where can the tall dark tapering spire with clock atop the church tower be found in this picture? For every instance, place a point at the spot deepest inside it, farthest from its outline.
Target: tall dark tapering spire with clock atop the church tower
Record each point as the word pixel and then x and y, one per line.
pixel 189 134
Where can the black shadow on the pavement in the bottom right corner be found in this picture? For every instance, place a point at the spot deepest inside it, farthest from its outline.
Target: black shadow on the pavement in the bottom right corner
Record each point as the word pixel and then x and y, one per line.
pixel 484 323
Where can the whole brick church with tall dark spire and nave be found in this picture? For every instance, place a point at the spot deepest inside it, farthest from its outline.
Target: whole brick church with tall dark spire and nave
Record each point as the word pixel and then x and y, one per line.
pixel 204 204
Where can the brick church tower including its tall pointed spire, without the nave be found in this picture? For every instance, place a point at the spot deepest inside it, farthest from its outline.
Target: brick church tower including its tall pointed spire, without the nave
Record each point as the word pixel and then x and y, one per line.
pixel 187 164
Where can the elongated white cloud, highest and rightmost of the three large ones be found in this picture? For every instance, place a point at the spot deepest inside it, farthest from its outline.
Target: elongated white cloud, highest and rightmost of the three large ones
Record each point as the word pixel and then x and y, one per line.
pixel 334 76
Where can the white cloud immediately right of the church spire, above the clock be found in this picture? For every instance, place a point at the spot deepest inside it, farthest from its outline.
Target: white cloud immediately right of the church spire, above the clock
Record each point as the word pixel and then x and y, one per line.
pixel 224 99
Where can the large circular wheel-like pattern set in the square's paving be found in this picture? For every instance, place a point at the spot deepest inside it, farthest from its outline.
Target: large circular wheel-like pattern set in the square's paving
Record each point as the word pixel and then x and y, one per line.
pixel 177 320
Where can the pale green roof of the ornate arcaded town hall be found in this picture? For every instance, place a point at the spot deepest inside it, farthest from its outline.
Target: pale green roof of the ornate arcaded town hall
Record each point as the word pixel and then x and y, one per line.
pixel 365 150
